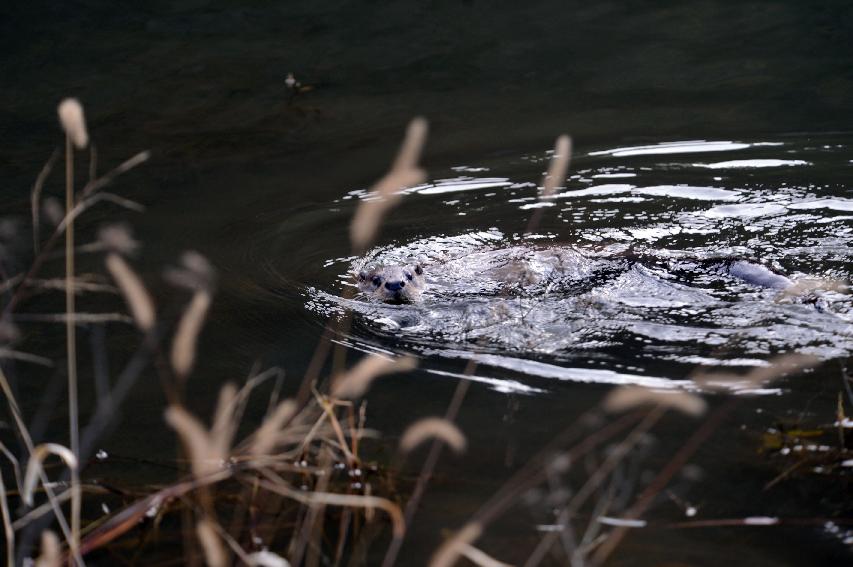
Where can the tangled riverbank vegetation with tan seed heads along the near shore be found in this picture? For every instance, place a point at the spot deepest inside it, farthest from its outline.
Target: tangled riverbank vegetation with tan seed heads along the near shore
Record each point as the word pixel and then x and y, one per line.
pixel 304 481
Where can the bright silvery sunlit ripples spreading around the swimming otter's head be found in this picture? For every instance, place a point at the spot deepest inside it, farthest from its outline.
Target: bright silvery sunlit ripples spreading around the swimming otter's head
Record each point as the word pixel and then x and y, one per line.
pixel 632 281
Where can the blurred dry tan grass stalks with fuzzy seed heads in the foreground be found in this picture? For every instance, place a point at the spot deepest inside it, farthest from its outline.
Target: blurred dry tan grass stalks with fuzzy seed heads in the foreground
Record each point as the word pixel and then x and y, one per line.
pixel 298 485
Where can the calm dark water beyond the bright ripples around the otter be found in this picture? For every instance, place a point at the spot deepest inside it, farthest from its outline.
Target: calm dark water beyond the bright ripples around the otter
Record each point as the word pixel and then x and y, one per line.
pixel 240 174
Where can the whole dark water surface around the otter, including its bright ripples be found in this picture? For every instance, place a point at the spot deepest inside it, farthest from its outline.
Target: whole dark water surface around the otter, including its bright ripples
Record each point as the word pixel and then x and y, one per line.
pixel 265 189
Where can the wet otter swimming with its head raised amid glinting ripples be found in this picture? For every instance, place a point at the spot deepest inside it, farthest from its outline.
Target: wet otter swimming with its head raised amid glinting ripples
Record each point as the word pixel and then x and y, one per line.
pixel 507 297
